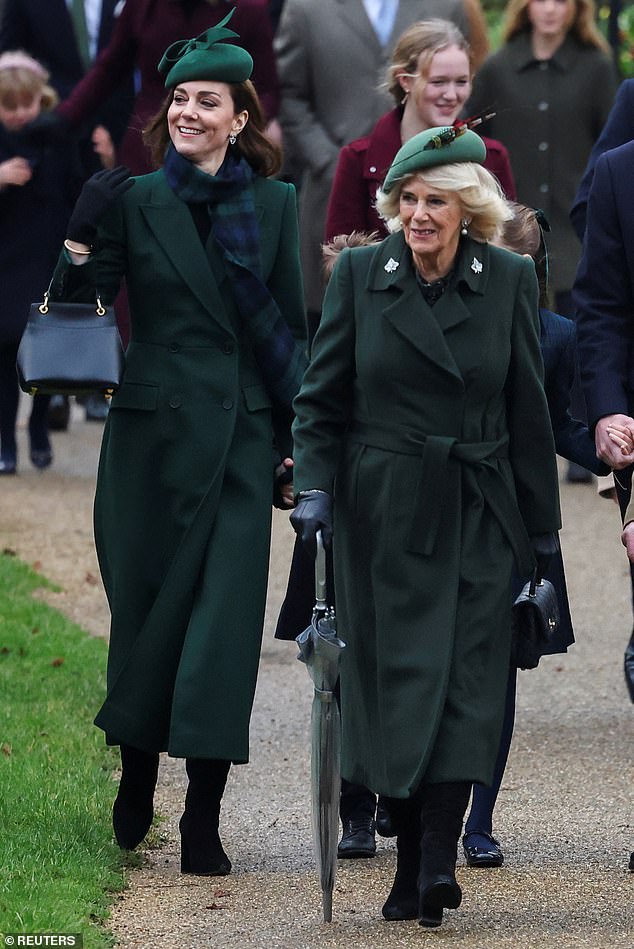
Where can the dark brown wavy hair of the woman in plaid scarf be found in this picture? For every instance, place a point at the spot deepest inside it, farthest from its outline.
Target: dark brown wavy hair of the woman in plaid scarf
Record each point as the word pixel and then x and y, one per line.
pixel 264 156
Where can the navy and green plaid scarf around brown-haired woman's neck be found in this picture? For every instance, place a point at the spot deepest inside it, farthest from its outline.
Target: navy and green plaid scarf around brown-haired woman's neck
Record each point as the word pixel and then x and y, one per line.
pixel 229 199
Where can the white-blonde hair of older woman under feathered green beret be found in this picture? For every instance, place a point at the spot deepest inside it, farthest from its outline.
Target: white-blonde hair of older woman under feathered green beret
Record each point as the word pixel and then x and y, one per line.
pixel 481 197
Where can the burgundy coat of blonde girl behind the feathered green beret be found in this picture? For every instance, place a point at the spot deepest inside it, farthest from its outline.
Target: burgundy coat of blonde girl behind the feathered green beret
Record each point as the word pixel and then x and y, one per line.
pixel 362 167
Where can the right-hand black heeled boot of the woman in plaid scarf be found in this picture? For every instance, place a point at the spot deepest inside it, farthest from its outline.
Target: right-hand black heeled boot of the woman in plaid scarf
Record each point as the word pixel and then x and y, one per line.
pixel 201 848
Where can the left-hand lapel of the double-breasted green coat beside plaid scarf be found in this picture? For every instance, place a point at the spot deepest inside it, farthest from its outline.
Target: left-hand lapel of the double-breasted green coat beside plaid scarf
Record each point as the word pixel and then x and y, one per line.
pixel 173 228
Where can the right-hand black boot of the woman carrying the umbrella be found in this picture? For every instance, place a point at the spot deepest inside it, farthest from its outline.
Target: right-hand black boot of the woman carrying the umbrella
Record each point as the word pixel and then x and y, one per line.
pixel 443 808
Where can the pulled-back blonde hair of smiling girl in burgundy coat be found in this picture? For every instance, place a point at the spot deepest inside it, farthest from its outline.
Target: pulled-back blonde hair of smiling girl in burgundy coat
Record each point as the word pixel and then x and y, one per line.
pixel 423 39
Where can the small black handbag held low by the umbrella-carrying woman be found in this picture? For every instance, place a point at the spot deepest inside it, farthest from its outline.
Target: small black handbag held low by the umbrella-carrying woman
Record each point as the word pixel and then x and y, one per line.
pixel 535 619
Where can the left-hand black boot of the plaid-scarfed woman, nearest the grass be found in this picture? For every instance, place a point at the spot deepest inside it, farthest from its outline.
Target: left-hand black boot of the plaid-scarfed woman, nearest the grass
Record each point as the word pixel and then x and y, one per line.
pixel 133 809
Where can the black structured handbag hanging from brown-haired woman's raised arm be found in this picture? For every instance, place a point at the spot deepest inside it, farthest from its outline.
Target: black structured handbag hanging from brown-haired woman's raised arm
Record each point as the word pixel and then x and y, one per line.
pixel 71 348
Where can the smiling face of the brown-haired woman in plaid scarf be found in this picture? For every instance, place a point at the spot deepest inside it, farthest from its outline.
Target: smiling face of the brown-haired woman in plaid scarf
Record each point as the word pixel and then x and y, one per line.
pixel 200 119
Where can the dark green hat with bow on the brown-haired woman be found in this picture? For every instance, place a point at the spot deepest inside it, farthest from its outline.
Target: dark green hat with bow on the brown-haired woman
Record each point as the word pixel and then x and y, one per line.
pixel 206 57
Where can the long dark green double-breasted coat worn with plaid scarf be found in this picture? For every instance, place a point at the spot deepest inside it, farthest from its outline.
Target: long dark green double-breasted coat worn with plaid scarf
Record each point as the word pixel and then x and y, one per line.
pixel 185 481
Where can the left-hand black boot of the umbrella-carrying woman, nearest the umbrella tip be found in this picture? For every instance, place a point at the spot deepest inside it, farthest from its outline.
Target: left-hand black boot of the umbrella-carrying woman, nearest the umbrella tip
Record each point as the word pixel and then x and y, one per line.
pixel 402 902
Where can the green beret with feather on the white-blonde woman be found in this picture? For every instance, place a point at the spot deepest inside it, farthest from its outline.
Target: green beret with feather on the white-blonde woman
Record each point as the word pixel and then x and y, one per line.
pixel 436 146
